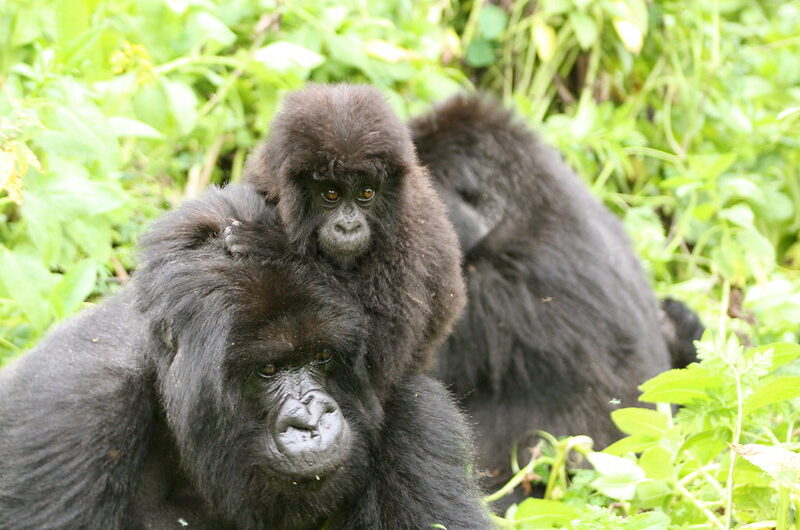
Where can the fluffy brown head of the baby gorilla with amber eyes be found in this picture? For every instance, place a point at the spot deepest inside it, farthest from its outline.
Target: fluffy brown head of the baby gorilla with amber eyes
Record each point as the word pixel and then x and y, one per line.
pixel 337 157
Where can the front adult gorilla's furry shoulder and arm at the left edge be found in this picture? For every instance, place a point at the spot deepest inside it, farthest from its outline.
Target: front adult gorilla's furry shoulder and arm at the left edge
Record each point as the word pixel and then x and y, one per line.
pixel 75 414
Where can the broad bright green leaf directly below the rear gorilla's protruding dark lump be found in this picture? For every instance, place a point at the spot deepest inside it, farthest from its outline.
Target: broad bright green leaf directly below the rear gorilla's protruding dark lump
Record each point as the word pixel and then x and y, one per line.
pixel 680 386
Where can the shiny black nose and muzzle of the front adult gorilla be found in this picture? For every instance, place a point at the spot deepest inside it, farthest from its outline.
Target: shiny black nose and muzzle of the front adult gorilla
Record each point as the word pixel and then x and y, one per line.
pixel 312 429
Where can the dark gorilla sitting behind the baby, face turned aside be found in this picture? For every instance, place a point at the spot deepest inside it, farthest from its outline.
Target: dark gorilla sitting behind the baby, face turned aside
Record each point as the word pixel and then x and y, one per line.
pixel 560 318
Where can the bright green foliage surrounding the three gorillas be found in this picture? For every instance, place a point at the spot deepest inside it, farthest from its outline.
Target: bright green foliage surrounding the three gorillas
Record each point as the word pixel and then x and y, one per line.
pixel 683 116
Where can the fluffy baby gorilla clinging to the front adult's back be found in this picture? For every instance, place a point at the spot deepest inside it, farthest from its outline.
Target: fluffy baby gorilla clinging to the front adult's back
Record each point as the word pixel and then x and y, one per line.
pixel 342 172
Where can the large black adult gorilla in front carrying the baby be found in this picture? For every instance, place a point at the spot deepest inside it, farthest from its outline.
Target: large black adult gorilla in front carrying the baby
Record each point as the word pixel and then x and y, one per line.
pixel 237 398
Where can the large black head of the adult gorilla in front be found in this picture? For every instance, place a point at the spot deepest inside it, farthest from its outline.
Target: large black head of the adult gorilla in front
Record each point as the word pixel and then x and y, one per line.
pixel 262 389
